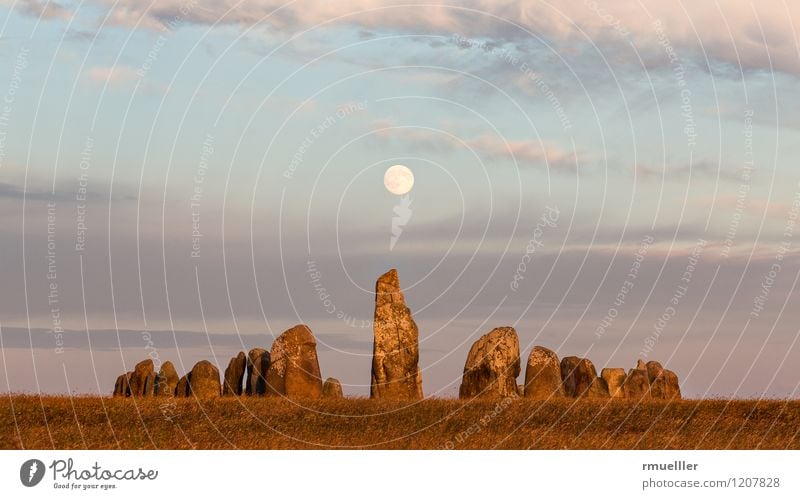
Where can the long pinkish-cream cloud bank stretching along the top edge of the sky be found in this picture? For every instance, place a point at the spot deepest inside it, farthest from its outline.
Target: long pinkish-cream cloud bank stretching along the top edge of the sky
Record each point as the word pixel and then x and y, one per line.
pixel 756 36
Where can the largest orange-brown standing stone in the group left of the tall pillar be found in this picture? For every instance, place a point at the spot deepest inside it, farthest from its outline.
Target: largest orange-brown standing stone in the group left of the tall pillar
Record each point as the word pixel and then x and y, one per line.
pixel 294 371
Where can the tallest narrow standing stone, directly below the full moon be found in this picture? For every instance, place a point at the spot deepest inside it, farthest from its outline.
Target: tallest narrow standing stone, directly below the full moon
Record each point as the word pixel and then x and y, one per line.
pixel 395 354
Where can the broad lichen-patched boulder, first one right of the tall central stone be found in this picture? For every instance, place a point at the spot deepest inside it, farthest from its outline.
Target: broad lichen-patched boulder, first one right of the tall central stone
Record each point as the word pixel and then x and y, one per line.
pixel 492 365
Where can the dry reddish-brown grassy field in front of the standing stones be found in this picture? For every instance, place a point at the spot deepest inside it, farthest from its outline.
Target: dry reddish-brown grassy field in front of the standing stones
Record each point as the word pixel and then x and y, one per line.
pixel 32 422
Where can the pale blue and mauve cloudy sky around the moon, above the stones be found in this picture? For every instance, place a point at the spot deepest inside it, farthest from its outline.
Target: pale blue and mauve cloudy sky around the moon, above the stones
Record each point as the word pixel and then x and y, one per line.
pixel 183 180
